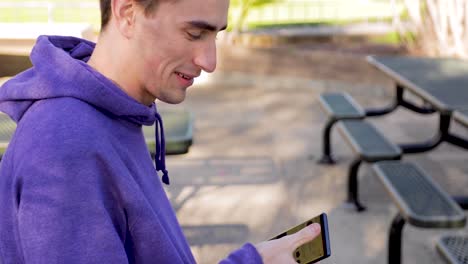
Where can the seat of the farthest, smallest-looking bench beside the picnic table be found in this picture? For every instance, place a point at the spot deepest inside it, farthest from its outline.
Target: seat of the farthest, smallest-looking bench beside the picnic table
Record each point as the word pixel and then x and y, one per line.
pixel 341 106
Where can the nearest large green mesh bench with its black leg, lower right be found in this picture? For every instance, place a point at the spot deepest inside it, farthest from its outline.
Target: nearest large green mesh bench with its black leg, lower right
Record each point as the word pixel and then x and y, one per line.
pixel 421 202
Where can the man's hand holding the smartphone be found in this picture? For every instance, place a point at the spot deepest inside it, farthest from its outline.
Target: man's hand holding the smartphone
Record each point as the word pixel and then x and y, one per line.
pixel 281 250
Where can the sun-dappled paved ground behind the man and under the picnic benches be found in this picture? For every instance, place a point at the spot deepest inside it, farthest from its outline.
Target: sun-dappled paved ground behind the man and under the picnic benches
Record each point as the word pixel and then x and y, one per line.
pixel 252 171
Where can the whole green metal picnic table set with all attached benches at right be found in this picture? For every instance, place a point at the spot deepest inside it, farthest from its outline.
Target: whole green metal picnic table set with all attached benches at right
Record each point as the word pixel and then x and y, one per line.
pixel 437 86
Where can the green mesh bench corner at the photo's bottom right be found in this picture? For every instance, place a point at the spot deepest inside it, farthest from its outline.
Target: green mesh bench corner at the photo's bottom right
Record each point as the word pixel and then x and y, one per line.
pixel 454 248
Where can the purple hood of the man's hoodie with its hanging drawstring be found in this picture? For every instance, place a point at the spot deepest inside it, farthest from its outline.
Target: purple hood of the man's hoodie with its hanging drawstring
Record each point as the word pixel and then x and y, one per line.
pixel 60 69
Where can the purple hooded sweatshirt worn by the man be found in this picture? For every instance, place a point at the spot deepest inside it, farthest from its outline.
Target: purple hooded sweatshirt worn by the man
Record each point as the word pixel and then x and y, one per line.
pixel 77 182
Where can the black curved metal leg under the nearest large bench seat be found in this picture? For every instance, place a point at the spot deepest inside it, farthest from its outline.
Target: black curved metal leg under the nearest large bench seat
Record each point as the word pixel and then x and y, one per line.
pixel 394 240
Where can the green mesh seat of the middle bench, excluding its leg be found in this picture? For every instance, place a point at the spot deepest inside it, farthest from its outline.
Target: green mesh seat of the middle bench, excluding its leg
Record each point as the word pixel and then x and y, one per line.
pixel 367 141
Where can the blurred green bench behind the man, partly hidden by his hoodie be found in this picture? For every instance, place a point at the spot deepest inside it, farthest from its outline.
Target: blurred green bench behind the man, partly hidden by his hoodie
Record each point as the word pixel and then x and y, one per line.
pixel 178 128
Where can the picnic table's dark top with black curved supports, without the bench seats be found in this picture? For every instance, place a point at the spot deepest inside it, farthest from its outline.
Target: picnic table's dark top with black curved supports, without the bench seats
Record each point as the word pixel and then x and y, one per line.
pixel 440 83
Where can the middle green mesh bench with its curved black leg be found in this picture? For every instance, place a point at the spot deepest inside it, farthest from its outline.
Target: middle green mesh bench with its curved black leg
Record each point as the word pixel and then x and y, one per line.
pixel 370 145
